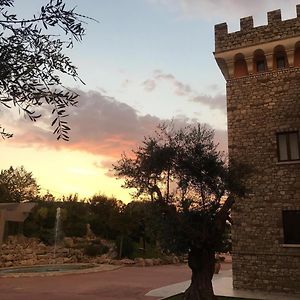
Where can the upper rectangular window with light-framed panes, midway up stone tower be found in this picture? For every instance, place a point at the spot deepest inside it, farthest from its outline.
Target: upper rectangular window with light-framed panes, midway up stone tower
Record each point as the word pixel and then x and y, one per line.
pixel 288 146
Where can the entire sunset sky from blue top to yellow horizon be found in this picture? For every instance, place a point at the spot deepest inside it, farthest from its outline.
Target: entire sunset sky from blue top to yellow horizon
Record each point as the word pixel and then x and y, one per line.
pixel 145 62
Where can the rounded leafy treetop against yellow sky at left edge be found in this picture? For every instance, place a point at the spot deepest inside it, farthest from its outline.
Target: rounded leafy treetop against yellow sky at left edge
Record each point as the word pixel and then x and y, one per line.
pixel 17 185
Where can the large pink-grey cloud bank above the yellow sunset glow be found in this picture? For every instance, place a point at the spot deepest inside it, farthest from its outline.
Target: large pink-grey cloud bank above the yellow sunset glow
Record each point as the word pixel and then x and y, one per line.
pixel 100 125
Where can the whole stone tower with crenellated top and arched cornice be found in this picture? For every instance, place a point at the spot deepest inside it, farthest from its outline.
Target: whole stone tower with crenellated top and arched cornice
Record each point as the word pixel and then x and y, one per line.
pixel 261 66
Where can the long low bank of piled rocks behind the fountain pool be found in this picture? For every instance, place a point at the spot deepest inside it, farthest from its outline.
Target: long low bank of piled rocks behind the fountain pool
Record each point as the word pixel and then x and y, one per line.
pixel 22 251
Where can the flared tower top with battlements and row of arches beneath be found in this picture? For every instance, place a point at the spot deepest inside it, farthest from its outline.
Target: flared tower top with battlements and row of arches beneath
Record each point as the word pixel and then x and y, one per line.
pixel 259 49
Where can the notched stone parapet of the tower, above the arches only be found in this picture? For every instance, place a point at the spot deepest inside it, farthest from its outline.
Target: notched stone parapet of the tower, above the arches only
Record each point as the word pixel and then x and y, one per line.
pixel 250 35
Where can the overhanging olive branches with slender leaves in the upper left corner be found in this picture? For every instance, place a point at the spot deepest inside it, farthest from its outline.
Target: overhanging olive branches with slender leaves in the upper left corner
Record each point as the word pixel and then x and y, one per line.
pixel 32 61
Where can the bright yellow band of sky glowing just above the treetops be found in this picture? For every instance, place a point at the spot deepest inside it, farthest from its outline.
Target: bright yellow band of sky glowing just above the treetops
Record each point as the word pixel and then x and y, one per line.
pixel 64 172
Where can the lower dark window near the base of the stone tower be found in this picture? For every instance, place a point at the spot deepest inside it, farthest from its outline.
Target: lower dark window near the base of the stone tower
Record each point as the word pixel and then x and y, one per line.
pixel 291 226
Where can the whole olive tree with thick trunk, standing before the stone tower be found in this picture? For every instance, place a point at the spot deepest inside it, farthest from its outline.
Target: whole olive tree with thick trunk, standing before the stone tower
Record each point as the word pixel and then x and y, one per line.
pixel 184 173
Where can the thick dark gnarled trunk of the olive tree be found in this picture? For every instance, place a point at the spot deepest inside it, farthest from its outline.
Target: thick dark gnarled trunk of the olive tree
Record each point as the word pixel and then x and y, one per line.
pixel 202 263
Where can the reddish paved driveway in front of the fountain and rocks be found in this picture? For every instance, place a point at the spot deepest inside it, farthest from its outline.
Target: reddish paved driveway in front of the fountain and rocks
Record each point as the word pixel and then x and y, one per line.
pixel 127 283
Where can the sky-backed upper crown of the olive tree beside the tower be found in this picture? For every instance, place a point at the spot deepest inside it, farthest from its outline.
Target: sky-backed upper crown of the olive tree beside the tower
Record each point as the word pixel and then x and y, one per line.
pixel 182 166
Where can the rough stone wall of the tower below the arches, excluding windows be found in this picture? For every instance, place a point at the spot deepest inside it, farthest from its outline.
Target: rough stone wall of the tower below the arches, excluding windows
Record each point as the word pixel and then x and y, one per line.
pixel 259 106
